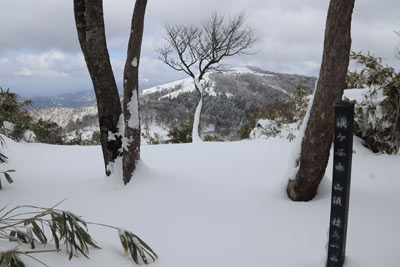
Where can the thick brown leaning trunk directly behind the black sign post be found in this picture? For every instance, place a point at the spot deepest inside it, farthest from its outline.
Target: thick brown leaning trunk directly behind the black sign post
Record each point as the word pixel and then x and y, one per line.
pixel 318 137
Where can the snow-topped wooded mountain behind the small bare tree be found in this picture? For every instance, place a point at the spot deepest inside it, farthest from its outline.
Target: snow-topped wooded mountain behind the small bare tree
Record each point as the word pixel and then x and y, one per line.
pixel 232 97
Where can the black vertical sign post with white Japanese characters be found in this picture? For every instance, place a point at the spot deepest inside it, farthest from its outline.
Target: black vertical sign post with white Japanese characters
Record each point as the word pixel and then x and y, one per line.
pixel 343 149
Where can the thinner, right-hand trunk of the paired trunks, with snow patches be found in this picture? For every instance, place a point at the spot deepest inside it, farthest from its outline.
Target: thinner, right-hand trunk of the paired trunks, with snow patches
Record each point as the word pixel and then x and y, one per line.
pixel 131 92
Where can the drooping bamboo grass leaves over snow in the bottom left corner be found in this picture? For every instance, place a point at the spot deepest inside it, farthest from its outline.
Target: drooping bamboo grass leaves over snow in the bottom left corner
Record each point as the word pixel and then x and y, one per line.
pixel 65 227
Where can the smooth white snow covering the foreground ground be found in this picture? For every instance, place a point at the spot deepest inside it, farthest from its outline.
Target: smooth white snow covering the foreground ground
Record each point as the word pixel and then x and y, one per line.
pixel 209 204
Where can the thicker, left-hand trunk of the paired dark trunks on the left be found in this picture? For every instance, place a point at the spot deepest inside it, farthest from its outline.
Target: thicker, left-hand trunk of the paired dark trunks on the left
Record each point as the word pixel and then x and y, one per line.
pixel 90 26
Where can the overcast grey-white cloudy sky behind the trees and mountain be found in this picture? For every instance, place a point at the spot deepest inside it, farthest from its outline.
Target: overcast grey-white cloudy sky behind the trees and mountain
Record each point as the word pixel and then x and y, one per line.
pixel 40 53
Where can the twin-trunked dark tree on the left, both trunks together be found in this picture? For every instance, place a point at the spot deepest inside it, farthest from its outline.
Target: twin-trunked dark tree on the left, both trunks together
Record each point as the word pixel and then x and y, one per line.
pixel 119 134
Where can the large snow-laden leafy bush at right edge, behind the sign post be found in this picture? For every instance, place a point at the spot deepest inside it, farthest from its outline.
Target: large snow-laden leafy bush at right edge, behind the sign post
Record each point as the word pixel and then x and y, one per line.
pixel 377 108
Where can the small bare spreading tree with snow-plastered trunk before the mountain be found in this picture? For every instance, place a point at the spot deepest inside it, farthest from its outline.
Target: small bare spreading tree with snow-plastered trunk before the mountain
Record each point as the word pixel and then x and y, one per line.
pixel 196 50
